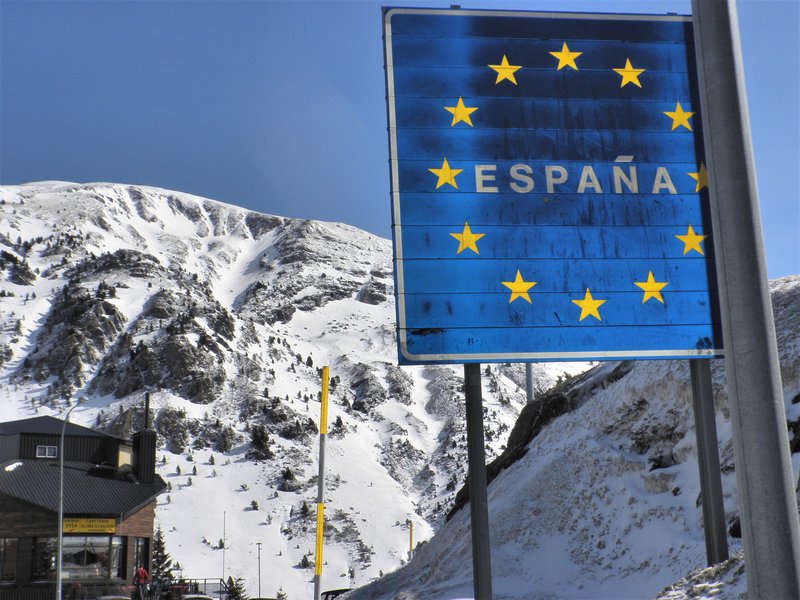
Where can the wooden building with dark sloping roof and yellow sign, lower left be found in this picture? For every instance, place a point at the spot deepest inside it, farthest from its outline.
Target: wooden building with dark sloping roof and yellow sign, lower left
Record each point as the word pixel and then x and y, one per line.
pixel 110 491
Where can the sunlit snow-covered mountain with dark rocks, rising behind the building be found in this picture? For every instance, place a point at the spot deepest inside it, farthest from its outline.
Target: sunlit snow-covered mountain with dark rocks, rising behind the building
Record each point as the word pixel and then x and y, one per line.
pixel 226 316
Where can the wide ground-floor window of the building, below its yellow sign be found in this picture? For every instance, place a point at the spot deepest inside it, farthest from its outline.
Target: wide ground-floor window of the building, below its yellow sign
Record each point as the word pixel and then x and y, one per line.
pixel 83 558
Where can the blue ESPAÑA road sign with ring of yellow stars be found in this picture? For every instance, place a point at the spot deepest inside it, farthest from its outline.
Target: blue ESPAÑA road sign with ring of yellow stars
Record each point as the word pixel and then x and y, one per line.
pixel 549 195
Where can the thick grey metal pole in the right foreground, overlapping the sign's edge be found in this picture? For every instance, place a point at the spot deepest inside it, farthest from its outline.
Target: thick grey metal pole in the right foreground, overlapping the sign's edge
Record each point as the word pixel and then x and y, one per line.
pixel 767 501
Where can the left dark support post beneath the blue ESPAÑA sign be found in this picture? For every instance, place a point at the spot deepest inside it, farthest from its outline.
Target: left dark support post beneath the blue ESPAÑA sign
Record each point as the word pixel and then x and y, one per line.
pixel 478 501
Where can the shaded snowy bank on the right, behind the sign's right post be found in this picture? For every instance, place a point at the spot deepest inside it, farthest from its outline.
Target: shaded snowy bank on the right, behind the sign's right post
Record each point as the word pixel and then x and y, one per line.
pixel 605 504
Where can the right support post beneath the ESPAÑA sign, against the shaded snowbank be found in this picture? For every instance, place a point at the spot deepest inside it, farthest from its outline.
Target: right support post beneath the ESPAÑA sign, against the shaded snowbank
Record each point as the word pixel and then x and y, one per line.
pixel 708 461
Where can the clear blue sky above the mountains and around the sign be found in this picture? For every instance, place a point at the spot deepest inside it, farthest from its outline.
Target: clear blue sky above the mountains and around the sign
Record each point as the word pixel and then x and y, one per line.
pixel 280 106
